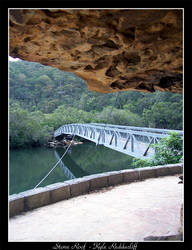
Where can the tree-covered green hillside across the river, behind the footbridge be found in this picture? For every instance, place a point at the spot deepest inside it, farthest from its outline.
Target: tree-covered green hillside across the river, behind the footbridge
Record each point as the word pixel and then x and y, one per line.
pixel 43 98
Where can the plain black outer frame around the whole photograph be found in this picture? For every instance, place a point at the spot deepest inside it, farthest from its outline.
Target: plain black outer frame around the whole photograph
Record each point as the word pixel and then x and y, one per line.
pixel 4 5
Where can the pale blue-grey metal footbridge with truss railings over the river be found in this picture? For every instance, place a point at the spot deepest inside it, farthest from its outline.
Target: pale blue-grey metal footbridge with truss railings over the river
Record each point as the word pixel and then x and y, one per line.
pixel 133 141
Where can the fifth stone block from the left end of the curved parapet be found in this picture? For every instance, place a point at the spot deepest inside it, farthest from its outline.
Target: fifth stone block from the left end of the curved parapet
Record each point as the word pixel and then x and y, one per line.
pixel 98 181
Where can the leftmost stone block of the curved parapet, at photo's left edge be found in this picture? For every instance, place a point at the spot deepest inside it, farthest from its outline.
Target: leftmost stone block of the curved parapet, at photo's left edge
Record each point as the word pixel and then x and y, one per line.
pixel 16 205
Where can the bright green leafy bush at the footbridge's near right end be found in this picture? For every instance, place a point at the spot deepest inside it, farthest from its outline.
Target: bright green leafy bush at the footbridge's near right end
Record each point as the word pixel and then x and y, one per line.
pixel 168 151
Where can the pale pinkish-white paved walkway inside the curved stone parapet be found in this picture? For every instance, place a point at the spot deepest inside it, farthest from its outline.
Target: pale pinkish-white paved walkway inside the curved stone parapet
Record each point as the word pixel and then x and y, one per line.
pixel 123 213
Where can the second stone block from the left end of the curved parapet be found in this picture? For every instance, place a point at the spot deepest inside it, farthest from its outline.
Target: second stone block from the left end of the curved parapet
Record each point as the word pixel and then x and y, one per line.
pixel 37 198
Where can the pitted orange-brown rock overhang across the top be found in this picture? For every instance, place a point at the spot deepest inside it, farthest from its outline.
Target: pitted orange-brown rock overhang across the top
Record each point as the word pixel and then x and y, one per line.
pixel 111 50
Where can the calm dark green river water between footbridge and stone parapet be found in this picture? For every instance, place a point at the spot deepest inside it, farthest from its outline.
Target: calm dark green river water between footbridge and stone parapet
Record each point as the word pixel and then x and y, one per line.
pixel 27 167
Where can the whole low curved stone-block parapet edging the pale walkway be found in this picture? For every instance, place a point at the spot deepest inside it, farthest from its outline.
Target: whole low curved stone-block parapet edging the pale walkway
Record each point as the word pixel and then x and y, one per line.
pixel 43 196
